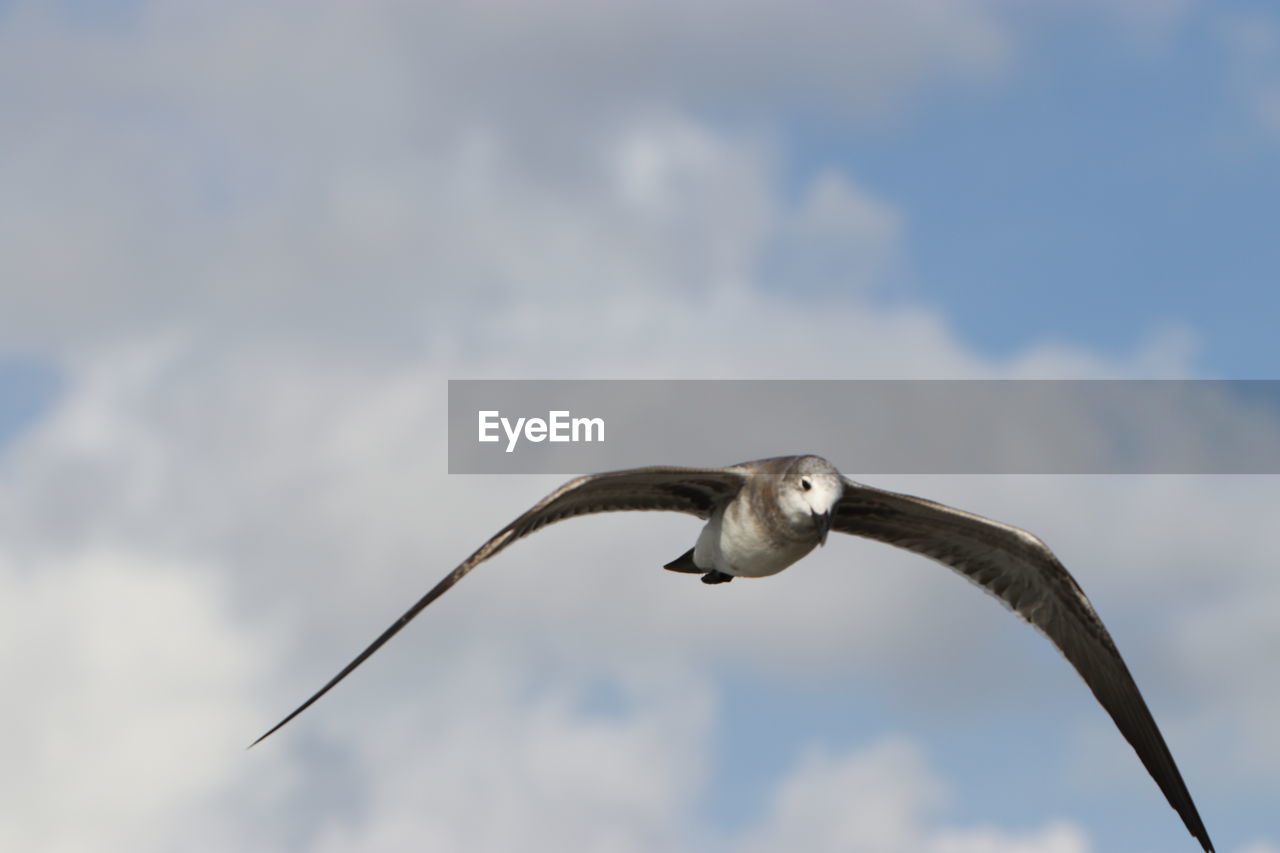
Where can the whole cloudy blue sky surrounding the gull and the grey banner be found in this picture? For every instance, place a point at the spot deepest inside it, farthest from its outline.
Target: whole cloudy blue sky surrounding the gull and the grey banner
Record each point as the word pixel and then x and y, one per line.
pixel 245 247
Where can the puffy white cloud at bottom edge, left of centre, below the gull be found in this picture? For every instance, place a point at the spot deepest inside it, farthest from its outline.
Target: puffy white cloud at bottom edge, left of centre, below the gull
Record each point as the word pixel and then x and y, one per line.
pixel 533 773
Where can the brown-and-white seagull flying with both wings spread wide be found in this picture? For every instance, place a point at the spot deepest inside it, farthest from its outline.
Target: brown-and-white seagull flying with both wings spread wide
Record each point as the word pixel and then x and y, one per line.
pixel 764 517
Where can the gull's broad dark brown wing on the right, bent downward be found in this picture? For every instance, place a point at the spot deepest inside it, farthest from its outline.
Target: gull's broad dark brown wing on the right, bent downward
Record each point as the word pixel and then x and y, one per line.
pixel 1021 571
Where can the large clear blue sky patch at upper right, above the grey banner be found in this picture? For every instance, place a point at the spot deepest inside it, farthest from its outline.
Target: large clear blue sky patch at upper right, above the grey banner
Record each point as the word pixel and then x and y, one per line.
pixel 1105 190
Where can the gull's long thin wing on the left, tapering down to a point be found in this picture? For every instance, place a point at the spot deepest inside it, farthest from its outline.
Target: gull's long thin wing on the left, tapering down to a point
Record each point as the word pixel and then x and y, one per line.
pixel 697 491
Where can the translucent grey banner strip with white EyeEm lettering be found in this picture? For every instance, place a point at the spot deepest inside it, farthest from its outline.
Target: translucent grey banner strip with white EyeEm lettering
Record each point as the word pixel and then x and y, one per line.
pixel 868 427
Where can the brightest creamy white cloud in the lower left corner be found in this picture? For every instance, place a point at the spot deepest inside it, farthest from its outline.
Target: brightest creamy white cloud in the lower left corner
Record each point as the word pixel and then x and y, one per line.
pixel 130 687
